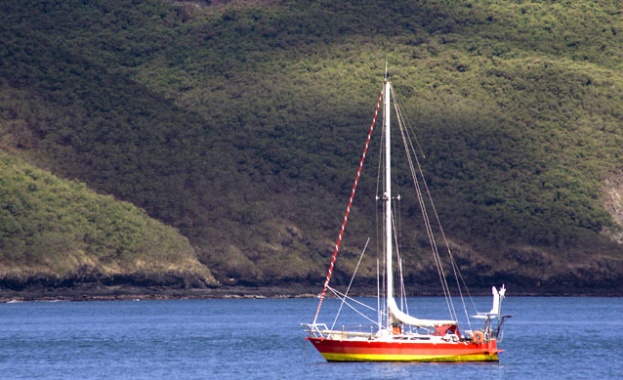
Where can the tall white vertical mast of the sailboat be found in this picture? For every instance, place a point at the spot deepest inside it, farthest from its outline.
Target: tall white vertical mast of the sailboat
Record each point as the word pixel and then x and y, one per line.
pixel 388 201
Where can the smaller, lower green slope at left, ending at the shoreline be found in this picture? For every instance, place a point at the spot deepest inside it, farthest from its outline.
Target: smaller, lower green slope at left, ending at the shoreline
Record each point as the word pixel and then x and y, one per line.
pixel 56 232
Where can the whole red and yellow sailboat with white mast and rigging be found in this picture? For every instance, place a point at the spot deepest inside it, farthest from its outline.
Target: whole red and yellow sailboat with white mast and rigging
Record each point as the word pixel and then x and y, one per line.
pixel 395 335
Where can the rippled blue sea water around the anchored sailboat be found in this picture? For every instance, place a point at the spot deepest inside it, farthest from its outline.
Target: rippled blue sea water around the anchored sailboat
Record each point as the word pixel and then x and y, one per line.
pixel 547 338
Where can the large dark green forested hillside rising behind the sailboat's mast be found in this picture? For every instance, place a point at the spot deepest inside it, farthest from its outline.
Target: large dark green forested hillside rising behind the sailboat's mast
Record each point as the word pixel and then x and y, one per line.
pixel 241 124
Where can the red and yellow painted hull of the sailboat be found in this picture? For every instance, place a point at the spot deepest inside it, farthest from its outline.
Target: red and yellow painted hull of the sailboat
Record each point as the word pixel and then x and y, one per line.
pixel 407 351
